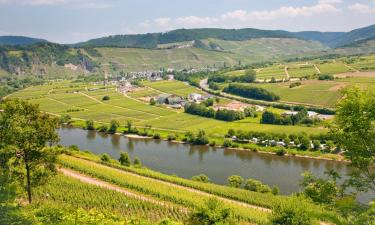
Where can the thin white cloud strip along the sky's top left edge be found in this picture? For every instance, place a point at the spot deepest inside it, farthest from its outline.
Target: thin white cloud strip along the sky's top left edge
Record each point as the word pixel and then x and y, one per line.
pixel 93 4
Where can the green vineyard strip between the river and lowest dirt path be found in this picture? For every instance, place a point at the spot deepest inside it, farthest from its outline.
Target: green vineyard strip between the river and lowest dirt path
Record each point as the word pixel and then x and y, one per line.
pixel 247 205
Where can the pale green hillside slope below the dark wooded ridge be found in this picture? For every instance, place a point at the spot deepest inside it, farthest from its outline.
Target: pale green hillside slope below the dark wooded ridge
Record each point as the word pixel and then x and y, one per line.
pixel 256 50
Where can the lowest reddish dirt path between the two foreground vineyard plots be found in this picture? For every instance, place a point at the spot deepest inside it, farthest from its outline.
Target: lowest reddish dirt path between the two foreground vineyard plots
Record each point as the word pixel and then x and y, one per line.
pixel 103 184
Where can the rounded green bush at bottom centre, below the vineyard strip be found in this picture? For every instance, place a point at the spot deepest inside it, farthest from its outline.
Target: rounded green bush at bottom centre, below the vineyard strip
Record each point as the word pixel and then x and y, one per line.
pixel 212 213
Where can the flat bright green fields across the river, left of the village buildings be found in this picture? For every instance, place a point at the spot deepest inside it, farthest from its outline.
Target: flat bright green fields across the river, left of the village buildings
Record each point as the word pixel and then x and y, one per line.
pixel 84 102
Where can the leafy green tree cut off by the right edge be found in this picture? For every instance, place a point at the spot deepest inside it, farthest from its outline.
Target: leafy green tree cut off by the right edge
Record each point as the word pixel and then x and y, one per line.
pixel 354 129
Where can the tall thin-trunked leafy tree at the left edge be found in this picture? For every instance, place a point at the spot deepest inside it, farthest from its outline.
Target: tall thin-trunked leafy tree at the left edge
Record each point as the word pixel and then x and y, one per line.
pixel 24 132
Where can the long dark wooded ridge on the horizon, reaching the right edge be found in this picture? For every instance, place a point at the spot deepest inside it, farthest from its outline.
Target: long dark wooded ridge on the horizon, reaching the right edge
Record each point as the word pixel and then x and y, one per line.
pixel 152 40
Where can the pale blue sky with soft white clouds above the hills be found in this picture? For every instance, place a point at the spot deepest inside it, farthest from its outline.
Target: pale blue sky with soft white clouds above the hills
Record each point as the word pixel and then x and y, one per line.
pixel 72 21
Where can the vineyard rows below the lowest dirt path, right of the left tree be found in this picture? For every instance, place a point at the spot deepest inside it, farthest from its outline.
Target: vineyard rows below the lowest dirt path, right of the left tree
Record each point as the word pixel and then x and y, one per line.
pixel 71 194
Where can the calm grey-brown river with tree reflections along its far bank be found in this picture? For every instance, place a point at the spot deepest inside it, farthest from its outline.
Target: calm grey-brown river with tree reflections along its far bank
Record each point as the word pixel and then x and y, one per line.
pixel 187 160
